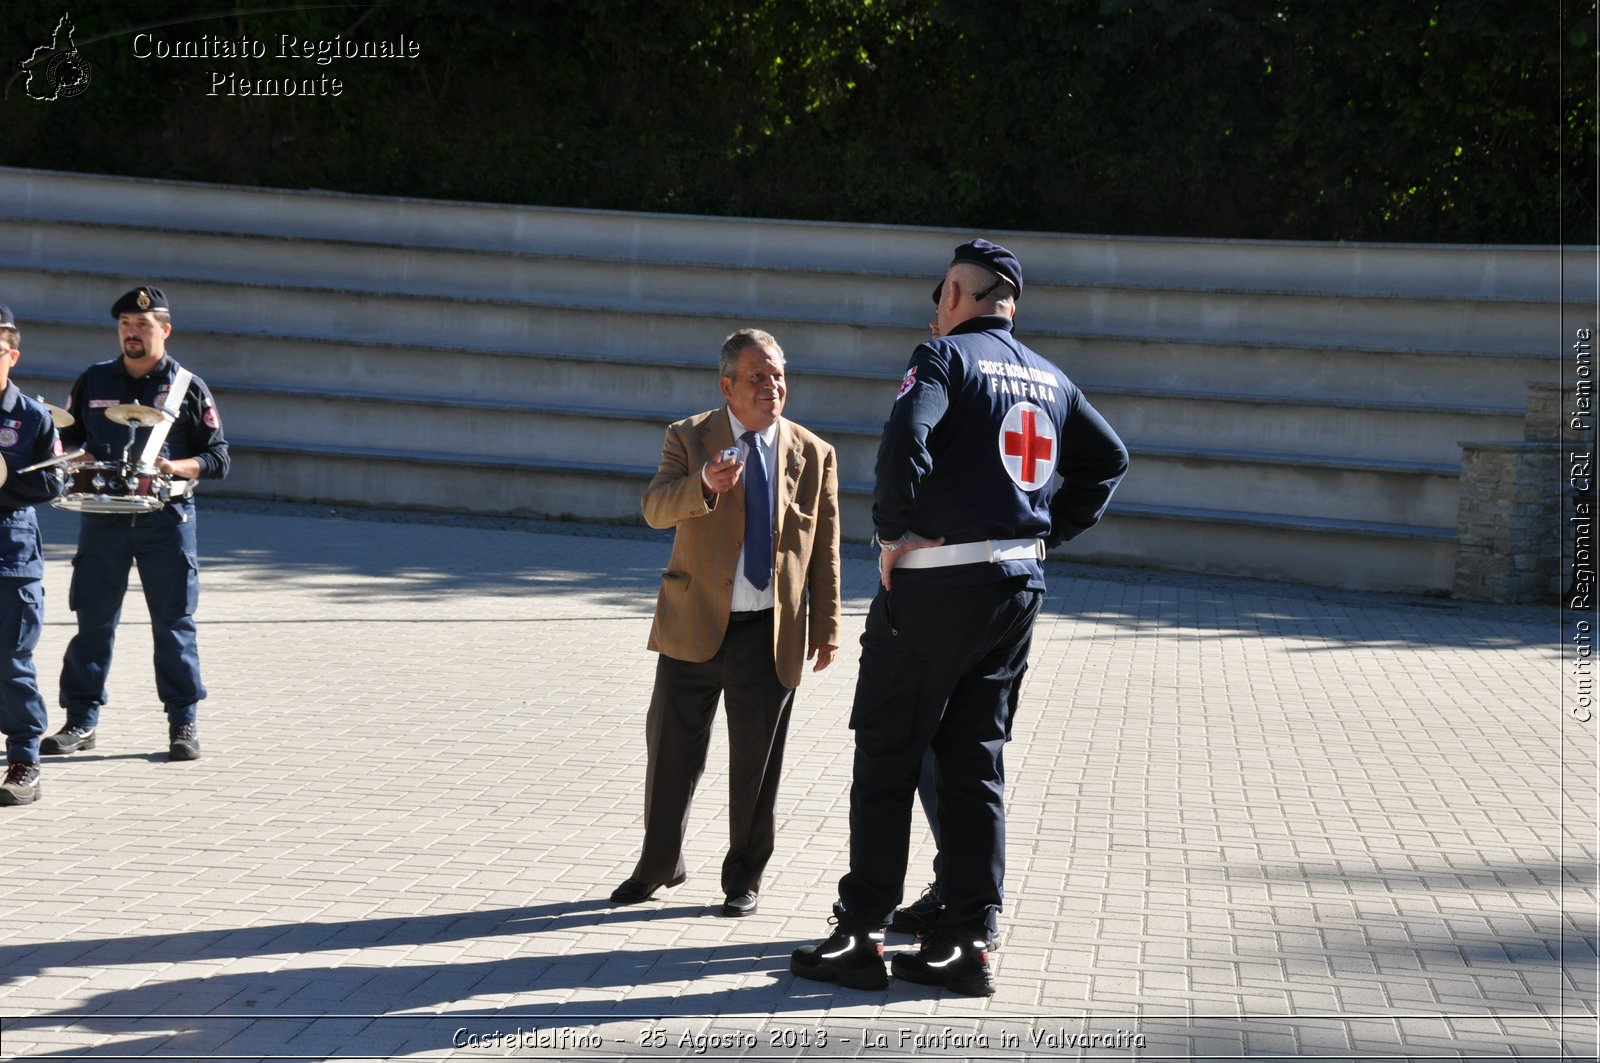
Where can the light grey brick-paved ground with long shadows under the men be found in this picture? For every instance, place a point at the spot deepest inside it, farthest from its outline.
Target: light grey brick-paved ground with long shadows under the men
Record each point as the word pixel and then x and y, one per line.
pixel 1247 822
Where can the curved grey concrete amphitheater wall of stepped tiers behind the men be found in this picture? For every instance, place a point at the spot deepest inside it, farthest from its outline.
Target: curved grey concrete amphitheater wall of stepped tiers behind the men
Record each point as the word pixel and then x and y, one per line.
pixel 1295 411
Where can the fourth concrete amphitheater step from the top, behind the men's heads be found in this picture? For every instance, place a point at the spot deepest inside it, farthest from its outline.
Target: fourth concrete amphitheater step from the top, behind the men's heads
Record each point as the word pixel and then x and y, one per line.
pixel 1162 415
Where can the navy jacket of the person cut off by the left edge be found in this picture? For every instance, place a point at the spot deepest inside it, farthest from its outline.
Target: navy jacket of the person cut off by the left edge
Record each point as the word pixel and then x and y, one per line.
pixel 28 436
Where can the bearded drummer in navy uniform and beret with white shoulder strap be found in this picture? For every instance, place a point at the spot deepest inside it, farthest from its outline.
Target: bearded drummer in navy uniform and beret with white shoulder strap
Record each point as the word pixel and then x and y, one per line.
pixel 162 544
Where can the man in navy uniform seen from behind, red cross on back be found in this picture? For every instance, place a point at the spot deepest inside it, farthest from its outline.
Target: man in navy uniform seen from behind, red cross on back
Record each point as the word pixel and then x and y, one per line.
pixel 966 505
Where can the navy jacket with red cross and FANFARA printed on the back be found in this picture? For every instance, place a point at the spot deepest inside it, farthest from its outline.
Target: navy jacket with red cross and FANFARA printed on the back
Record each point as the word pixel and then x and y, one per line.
pixel 990 441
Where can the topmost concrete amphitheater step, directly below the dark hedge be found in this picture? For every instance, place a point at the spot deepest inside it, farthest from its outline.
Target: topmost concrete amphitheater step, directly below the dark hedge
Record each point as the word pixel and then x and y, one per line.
pixel 1327 268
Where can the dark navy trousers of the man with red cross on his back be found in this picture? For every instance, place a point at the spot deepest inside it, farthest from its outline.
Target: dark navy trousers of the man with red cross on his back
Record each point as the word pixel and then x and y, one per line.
pixel 940 668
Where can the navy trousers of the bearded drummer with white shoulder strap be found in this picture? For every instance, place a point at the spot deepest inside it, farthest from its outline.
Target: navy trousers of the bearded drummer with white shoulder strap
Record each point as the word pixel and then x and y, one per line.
pixel 162 545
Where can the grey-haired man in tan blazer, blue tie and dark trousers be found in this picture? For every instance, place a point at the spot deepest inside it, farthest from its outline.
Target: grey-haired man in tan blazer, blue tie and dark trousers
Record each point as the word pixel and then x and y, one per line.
pixel 750 595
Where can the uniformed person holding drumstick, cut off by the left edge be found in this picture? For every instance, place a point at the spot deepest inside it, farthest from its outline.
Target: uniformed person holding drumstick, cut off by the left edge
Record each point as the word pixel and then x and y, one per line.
pixel 28 436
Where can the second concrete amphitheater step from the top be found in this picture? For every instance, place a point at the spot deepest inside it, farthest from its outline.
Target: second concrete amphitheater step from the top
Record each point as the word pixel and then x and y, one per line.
pixel 353 270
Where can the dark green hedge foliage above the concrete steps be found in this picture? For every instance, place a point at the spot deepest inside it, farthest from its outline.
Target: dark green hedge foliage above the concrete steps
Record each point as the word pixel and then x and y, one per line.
pixel 1455 121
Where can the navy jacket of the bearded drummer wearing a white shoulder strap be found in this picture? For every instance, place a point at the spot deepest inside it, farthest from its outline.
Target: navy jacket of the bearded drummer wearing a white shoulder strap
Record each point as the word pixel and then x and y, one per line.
pixel 198 433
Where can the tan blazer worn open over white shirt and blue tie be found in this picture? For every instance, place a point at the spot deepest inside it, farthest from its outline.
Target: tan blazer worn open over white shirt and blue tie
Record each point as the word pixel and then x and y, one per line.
pixel 697 590
